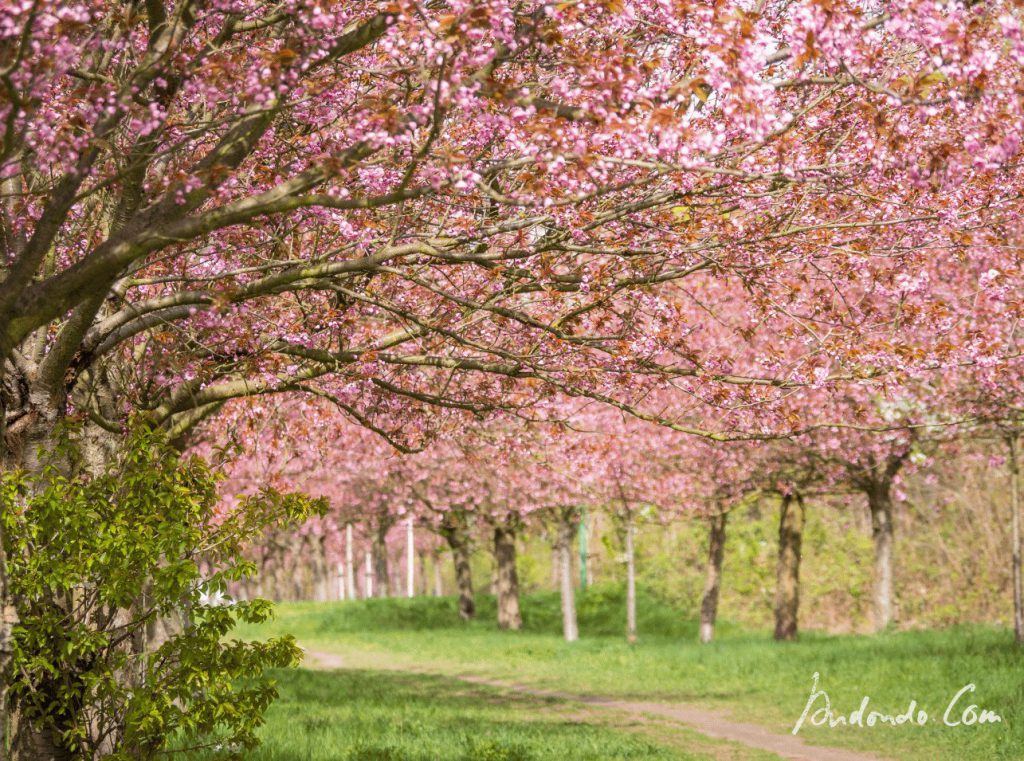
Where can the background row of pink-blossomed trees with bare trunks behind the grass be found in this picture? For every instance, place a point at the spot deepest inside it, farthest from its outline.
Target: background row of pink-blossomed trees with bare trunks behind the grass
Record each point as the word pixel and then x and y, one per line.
pixel 481 488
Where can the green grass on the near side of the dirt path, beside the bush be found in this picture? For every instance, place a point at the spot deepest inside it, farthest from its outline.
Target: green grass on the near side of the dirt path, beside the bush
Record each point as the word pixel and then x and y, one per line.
pixel 360 715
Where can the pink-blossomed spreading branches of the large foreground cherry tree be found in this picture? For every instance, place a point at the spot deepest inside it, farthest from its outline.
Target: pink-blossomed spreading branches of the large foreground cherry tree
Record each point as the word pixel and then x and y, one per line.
pixel 475 204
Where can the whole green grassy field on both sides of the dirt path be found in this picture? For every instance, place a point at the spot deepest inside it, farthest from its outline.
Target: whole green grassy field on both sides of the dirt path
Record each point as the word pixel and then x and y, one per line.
pixel 371 711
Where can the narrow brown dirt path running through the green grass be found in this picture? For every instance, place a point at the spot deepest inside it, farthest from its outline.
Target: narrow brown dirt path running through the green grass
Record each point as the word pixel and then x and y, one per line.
pixel 705 722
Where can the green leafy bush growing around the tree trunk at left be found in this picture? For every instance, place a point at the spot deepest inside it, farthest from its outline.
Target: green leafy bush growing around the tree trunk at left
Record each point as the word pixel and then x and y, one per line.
pixel 98 567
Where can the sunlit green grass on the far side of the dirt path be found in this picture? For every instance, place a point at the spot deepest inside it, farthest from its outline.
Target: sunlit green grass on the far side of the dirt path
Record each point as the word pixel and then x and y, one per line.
pixel 744 673
